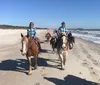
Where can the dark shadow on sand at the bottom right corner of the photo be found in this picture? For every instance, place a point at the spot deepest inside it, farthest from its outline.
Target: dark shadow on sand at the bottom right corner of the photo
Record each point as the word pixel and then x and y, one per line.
pixel 70 80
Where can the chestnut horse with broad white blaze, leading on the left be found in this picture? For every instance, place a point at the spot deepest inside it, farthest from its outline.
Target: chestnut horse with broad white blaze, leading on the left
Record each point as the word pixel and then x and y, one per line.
pixel 29 48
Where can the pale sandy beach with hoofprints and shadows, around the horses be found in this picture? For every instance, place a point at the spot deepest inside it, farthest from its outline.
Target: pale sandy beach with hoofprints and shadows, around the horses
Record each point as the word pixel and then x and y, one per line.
pixel 82 67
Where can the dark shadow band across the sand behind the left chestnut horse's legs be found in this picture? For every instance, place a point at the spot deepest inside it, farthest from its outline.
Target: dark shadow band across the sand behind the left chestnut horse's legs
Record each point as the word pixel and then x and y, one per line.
pixel 21 65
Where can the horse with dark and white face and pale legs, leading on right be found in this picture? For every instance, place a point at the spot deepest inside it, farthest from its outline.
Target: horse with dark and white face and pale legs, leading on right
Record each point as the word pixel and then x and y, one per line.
pixel 62 49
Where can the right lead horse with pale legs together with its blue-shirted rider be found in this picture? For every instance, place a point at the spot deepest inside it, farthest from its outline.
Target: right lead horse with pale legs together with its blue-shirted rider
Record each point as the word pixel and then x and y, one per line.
pixel 62 44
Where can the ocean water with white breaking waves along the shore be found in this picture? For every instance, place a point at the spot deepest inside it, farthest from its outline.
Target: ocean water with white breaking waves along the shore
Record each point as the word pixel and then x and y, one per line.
pixel 90 35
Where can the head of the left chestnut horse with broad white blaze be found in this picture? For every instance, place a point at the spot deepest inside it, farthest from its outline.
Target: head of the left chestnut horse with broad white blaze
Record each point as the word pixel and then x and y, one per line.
pixel 24 42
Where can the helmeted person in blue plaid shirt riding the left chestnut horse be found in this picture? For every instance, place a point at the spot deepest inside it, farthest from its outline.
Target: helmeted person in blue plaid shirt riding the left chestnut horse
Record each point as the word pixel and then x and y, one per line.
pixel 31 31
